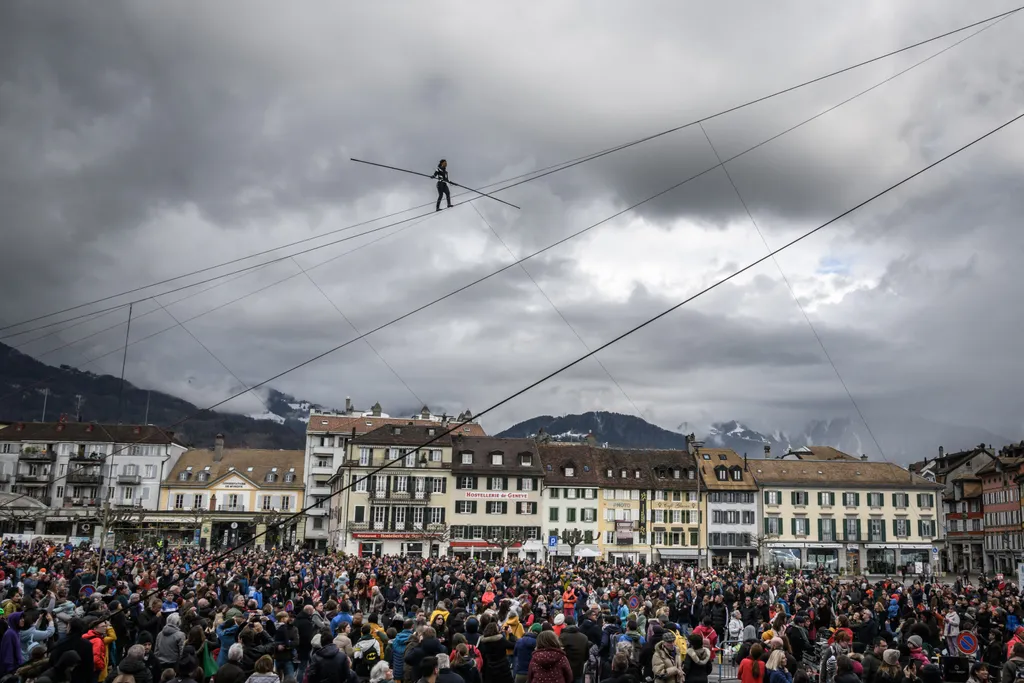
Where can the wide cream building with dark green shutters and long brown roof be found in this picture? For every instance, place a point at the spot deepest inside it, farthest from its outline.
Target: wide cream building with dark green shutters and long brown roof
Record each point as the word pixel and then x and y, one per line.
pixel 847 516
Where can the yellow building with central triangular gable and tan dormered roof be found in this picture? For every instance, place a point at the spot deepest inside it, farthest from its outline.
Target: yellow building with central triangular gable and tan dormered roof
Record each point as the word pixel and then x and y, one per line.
pixel 230 495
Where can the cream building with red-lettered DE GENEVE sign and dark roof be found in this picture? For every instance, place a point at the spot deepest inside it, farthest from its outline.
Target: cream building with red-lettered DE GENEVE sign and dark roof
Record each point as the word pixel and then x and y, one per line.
pixel 497 499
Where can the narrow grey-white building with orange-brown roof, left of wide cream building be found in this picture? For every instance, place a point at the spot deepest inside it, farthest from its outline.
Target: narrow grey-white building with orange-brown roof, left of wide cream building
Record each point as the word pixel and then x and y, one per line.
pixel 732 508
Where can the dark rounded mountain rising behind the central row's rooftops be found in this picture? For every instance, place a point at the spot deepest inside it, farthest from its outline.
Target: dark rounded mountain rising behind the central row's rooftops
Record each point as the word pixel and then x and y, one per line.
pixel 612 429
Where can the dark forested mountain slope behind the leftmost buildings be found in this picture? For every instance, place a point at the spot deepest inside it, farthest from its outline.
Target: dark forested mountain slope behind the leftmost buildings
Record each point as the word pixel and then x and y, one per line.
pixel 23 380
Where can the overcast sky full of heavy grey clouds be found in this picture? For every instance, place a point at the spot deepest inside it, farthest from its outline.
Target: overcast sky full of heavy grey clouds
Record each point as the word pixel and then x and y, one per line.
pixel 141 141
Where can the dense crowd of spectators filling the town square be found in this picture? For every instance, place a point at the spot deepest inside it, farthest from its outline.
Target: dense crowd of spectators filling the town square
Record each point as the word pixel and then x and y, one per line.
pixel 184 616
